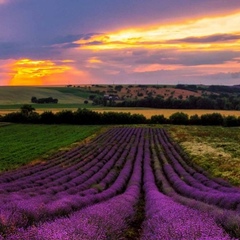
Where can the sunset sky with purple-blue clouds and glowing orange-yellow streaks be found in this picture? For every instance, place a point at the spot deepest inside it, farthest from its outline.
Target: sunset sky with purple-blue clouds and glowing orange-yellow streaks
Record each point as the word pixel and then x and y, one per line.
pixel 62 42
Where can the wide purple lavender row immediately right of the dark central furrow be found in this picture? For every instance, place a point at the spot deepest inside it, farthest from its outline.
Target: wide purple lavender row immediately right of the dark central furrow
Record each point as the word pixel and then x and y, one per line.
pixel 166 219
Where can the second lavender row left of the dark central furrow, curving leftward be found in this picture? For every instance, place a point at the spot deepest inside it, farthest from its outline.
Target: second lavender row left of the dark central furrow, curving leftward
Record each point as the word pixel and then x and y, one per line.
pixel 44 207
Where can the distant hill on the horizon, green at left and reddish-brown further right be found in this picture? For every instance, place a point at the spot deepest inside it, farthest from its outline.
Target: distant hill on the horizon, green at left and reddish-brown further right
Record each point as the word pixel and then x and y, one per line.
pixel 78 94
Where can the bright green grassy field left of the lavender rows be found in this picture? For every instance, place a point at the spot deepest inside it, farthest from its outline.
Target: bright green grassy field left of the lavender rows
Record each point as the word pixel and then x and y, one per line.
pixel 20 144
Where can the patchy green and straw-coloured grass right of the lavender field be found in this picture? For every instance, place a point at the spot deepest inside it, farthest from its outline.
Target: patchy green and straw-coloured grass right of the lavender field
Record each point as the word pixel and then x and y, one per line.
pixel 215 149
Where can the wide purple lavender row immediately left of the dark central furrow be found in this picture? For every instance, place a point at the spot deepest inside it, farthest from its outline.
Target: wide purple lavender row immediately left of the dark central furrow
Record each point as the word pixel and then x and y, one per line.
pixel 106 220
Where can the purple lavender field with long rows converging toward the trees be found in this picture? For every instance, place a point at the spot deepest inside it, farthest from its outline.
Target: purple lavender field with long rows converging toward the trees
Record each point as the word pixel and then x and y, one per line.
pixel 127 183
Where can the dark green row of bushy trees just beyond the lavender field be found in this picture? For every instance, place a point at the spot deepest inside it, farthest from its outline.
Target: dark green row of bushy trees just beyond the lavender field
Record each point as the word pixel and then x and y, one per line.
pixel 83 116
